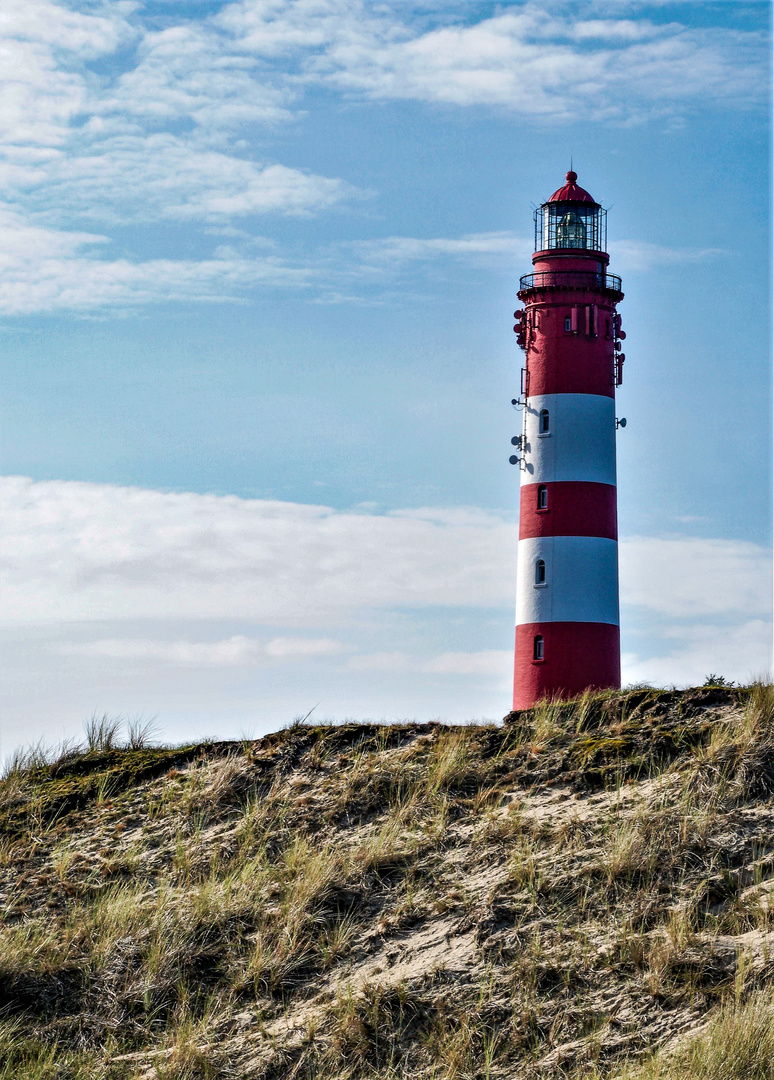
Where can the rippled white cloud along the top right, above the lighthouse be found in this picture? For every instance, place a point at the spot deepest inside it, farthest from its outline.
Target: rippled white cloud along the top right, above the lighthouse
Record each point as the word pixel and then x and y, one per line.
pixel 532 62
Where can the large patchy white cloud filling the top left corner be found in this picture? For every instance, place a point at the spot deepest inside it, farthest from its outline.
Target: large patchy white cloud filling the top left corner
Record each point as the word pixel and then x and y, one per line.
pixel 154 142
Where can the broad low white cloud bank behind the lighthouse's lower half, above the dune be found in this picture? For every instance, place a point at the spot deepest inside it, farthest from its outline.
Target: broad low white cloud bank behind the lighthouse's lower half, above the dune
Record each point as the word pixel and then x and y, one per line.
pixel 140 601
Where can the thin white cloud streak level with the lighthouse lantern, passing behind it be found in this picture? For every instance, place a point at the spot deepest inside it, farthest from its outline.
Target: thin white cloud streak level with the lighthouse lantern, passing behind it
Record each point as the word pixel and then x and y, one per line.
pixel 44 269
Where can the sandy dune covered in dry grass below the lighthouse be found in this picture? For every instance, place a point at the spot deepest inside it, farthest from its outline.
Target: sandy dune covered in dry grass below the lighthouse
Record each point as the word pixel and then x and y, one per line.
pixel 586 890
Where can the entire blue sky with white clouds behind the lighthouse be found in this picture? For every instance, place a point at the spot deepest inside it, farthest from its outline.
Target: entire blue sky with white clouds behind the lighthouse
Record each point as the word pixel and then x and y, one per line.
pixel 257 267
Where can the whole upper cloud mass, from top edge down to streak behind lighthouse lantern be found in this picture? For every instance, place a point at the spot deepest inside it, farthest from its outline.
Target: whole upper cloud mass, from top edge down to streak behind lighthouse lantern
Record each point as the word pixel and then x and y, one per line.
pixel 107 120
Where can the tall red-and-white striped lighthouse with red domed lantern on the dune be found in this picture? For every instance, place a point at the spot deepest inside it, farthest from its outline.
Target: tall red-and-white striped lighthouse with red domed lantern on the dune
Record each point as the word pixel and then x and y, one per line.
pixel 567 590
